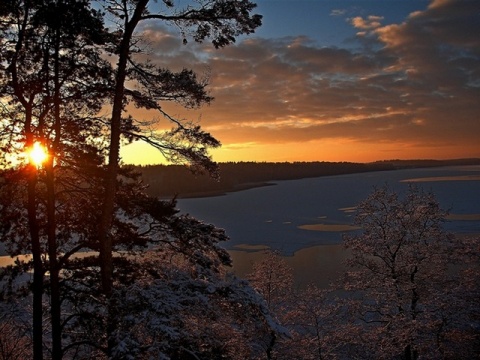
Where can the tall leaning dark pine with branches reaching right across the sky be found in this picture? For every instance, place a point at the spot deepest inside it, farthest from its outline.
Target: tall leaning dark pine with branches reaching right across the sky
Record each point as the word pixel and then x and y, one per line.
pixel 219 21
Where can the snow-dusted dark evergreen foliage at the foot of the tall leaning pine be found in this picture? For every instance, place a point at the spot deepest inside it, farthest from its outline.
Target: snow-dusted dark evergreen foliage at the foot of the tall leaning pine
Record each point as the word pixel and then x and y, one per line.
pixel 173 301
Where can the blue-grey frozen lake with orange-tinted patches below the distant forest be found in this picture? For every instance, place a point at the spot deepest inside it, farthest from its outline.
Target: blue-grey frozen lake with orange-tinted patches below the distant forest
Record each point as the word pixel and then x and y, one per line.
pixel 271 216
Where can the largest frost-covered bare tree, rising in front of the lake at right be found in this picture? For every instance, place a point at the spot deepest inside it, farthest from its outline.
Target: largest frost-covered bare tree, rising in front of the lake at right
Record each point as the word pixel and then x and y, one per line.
pixel 405 289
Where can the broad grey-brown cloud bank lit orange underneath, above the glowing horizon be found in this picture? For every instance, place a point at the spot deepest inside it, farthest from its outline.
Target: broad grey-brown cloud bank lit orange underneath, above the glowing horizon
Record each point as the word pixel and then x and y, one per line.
pixel 417 82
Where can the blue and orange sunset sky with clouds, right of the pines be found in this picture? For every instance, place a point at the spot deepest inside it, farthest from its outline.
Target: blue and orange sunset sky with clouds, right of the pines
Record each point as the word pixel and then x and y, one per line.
pixel 326 80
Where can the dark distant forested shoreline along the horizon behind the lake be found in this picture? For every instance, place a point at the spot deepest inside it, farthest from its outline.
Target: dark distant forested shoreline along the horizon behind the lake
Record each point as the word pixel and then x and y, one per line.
pixel 167 181
